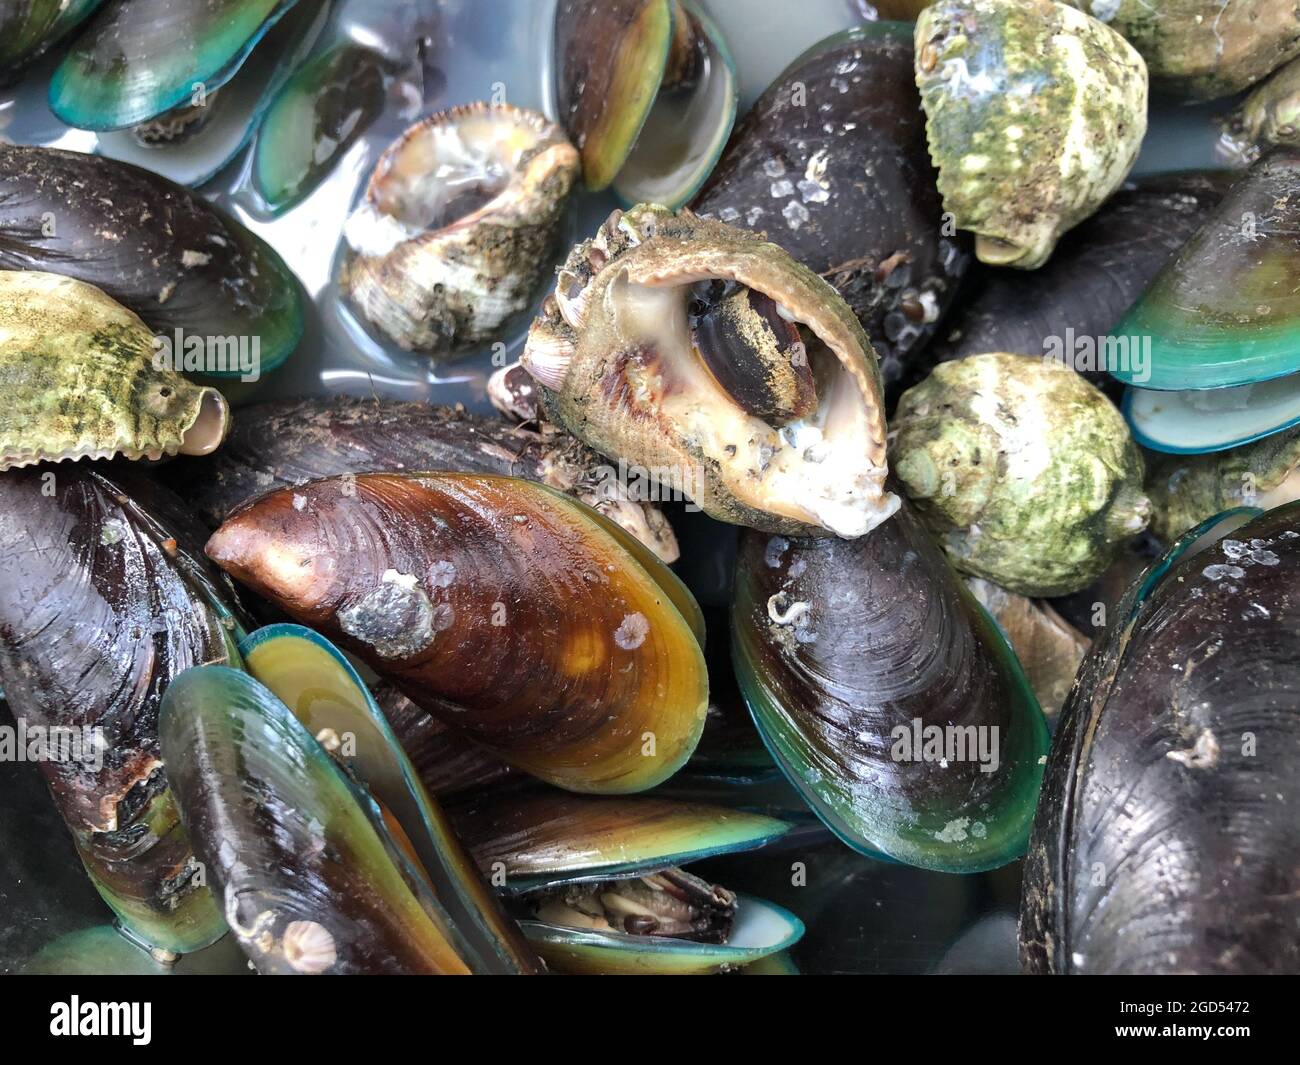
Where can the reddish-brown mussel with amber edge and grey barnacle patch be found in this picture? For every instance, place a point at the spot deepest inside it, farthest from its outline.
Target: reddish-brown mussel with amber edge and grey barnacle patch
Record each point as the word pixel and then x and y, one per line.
pixel 522 618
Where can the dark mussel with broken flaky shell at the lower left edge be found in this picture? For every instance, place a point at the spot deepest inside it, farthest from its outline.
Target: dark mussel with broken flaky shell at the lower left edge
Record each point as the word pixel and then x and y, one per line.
pixel 105 599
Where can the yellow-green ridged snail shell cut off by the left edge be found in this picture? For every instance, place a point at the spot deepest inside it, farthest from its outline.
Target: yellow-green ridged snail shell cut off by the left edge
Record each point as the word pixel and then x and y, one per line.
pixel 80 380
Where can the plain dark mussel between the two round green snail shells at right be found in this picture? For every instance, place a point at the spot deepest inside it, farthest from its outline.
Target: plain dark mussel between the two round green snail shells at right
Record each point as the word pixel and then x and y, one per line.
pixel 1093 279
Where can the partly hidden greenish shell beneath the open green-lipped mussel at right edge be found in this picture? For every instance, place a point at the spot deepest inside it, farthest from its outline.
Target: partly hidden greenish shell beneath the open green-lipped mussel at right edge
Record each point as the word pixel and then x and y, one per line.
pixel 1188 490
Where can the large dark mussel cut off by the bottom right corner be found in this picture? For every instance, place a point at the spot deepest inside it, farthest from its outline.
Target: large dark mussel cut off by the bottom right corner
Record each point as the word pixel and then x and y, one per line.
pixel 1167 841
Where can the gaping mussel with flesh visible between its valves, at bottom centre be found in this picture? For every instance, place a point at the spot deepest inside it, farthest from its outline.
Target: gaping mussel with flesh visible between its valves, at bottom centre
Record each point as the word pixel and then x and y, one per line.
pixel 600 886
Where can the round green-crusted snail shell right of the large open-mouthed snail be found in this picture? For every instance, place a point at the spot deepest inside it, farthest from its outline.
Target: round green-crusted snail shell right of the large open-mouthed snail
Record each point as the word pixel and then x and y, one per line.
pixel 1024 470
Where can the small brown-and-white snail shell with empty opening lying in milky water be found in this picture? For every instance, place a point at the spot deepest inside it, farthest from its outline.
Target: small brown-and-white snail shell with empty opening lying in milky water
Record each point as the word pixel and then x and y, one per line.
pixel 458 226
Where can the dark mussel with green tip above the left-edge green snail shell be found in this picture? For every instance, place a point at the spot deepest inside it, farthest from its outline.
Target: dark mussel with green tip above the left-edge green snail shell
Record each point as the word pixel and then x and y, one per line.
pixel 223 301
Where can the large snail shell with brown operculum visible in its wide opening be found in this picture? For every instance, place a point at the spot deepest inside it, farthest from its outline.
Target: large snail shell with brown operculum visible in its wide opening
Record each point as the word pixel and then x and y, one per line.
pixel 718 365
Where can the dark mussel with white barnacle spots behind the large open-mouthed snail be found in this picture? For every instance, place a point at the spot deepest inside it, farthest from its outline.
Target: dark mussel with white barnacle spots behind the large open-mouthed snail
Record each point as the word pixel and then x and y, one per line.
pixel 833 164
